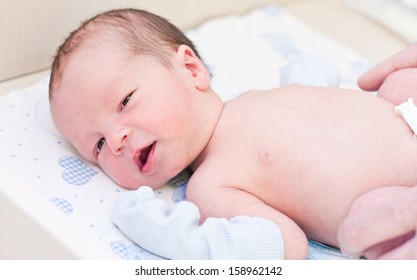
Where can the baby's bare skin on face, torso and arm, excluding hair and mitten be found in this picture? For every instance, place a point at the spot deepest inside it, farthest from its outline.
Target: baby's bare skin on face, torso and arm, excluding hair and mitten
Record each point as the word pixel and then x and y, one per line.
pixel 297 155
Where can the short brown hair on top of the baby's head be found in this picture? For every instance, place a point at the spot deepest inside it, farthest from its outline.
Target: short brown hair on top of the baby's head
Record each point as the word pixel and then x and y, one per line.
pixel 137 31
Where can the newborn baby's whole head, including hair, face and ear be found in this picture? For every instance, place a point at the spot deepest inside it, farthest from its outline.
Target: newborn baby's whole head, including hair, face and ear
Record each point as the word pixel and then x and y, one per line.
pixel 129 91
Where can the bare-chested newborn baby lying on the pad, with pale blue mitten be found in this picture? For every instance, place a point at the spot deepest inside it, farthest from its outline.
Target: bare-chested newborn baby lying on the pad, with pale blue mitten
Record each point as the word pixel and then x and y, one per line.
pixel 271 167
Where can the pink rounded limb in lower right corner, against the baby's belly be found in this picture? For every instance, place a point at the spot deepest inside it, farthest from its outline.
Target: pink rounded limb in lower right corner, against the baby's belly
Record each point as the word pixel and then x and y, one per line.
pixel 381 224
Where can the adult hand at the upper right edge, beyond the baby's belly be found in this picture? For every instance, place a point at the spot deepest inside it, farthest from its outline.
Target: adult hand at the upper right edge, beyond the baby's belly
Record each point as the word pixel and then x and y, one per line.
pixel 373 79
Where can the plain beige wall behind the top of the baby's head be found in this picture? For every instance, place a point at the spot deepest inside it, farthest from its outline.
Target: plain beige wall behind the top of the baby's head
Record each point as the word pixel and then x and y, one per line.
pixel 31 30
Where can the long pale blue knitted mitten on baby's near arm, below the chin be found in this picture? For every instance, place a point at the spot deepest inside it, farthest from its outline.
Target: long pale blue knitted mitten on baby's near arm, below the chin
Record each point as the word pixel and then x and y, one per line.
pixel 176 233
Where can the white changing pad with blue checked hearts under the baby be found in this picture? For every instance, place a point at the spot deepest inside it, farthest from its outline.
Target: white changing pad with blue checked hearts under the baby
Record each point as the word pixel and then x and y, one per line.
pixel 72 198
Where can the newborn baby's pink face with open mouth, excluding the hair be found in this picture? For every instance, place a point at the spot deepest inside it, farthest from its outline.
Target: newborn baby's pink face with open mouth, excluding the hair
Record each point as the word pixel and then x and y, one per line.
pixel 133 117
